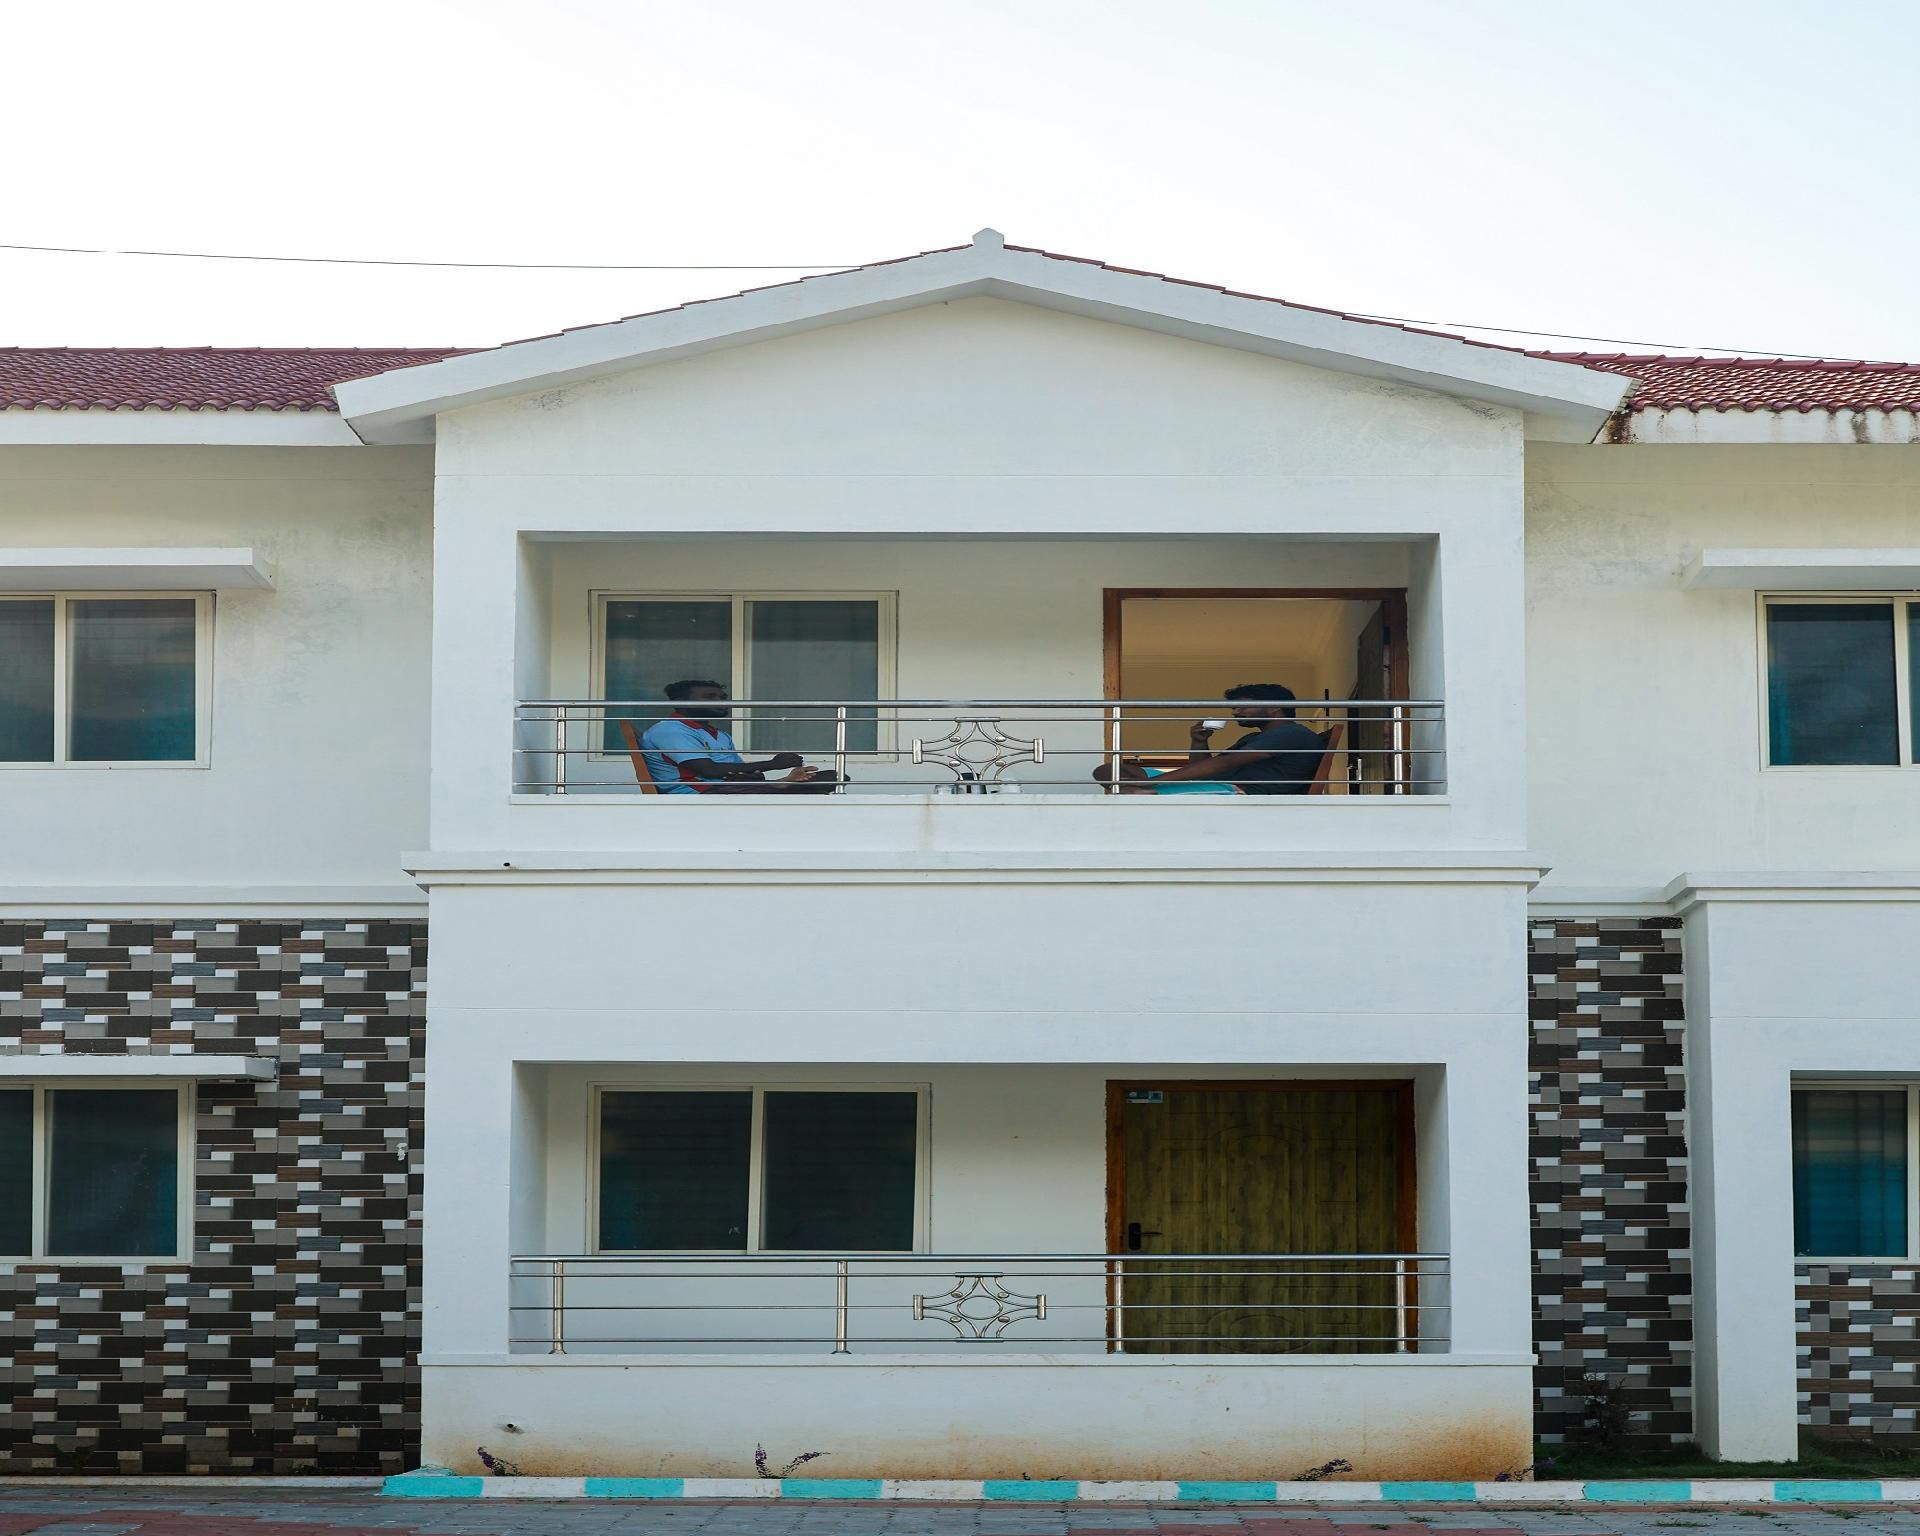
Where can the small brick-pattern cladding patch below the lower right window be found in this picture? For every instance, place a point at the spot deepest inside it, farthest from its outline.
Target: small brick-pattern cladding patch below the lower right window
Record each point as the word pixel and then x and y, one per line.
pixel 1860 1351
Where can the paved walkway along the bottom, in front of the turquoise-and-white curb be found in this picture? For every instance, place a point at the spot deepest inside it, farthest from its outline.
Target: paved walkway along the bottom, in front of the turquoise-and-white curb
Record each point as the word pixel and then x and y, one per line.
pixel 220 1512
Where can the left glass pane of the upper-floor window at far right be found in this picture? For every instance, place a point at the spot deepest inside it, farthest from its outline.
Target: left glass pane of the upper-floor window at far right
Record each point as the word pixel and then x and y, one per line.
pixel 1831 683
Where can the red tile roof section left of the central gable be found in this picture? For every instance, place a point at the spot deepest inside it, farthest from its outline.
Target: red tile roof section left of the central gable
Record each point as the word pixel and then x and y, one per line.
pixel 191 379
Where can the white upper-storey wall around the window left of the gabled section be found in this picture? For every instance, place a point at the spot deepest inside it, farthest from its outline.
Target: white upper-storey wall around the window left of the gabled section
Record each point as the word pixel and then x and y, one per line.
pixel 318 771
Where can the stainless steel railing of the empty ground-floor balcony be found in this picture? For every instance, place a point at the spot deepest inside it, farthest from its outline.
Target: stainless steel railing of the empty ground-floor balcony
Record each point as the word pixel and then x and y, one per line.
pixel 1040 1303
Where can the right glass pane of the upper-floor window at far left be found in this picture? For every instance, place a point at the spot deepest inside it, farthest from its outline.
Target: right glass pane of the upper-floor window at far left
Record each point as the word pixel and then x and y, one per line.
pixel 133 681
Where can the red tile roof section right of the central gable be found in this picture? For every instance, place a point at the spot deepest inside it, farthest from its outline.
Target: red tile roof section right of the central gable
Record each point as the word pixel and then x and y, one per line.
pixel 1756 383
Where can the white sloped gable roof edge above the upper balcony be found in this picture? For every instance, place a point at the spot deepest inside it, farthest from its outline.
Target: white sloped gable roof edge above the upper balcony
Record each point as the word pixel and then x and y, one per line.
pixel 402 406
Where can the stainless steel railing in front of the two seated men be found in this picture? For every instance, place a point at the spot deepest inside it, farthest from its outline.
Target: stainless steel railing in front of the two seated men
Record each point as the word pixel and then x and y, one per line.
pixel 990 746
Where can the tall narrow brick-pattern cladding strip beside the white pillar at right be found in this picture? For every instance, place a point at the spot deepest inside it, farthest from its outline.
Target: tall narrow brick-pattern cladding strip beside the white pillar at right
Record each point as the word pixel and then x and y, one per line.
pixel 1610 1174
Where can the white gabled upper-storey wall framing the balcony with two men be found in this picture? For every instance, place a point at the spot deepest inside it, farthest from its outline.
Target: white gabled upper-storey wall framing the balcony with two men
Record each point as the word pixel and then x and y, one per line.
pixel 978 421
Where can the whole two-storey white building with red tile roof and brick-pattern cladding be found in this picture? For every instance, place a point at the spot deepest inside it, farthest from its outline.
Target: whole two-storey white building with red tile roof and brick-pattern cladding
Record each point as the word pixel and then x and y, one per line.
pixel 971 1118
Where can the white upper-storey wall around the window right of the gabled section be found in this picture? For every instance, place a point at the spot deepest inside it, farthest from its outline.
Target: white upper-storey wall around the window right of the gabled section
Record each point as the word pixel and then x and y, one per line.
pixel 1644 698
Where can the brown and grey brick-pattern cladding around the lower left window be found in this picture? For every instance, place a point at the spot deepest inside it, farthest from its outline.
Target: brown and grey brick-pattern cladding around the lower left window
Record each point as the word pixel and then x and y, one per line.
pixel 289 1343
